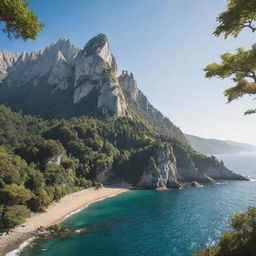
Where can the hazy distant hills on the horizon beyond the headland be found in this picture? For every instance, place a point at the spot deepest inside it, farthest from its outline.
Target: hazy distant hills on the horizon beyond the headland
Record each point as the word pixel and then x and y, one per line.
pixel 216 147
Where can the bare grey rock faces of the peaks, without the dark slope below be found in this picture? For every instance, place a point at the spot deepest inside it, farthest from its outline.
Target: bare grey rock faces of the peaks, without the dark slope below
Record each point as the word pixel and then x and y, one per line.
pixel 63 65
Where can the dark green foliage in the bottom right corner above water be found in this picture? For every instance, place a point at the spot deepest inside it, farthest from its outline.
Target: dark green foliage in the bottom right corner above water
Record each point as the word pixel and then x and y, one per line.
pixel 241 241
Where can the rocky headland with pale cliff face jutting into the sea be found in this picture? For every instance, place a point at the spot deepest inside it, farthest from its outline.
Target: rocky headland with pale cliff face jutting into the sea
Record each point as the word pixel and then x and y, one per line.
pixel 169 165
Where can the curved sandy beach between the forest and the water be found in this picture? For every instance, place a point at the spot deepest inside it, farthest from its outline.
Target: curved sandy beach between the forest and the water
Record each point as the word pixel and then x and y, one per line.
pixel 55 213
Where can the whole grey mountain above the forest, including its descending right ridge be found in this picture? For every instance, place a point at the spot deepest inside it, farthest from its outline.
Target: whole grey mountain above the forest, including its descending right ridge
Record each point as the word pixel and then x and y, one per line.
pixel 63 81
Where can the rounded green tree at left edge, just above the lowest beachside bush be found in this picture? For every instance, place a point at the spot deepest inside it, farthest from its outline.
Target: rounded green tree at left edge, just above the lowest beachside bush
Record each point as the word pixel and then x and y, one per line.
pixel 14 194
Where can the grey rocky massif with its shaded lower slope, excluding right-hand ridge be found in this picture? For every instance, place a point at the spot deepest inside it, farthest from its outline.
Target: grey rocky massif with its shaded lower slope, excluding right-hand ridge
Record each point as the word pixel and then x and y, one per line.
pixel 65 75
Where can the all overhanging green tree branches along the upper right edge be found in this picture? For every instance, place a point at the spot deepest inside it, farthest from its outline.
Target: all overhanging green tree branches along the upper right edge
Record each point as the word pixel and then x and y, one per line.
pixel 240 66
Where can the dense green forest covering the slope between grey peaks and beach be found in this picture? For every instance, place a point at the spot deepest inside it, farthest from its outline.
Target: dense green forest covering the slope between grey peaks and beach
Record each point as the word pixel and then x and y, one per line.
pixel 31 176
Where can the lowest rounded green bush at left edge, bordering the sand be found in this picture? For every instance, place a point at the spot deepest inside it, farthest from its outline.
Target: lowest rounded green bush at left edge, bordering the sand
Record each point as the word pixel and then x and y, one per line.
pixel 14 215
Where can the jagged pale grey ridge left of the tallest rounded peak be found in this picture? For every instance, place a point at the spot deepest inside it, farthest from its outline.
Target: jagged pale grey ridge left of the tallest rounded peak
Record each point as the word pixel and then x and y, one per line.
pixel 54 61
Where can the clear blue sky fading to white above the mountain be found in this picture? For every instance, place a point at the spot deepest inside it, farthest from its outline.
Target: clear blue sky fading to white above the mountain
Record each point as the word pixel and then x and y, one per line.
pixel 166 44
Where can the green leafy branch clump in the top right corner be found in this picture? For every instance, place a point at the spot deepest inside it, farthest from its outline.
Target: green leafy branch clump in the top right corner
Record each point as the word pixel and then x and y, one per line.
pixel 240 14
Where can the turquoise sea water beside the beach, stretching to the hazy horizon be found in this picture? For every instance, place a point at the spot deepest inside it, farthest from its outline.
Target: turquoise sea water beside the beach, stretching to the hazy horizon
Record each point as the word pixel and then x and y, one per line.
pixel 154 223
